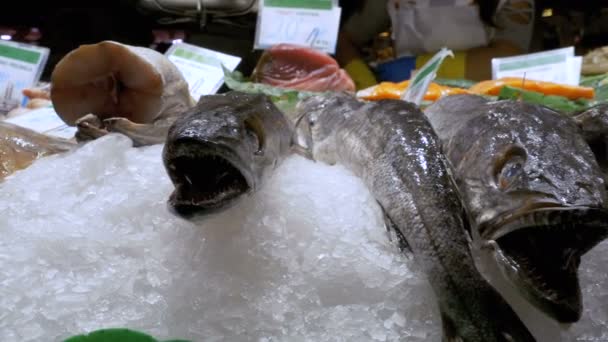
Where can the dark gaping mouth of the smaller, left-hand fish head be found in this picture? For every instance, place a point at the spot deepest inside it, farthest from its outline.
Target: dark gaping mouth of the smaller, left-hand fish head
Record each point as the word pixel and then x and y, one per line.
pixel 205 183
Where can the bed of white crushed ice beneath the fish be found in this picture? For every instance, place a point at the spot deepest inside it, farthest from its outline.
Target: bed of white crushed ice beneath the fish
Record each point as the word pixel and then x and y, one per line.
pixel 88 243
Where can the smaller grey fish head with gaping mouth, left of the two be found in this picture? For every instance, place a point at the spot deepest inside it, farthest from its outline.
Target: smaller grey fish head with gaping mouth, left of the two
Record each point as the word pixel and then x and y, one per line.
pixel 223 148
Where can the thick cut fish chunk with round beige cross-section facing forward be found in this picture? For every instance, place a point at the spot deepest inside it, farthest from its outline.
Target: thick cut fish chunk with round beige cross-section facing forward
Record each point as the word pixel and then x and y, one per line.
pixel 114 87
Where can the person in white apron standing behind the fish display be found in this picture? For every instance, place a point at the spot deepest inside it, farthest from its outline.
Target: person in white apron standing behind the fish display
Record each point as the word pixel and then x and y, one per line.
pixel 476 31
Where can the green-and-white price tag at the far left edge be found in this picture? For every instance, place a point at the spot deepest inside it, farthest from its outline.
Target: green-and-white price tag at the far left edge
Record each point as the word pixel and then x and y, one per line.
pixel 20 67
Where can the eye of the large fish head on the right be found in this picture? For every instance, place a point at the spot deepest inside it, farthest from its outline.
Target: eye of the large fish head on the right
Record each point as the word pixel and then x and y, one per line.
pixel 509 167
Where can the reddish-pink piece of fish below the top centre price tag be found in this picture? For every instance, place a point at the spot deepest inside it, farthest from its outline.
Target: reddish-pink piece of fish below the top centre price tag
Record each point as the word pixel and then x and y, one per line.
pixel 301 68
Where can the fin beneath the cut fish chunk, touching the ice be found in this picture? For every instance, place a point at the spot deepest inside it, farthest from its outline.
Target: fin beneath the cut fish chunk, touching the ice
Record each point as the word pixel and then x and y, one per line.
pixel 140 134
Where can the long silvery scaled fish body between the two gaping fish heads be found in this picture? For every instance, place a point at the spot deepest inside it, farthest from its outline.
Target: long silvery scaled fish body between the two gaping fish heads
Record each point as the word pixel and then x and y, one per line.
pixel 392 147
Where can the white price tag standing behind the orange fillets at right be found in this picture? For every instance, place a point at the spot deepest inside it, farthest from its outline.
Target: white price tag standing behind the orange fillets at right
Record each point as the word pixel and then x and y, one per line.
pixel 559 66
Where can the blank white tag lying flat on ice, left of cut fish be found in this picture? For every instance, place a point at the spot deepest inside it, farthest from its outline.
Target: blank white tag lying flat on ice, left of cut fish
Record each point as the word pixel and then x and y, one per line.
pixel 44 120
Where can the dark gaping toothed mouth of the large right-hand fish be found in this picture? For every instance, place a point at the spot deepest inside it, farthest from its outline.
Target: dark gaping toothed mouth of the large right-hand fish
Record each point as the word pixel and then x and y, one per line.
pixel 540 252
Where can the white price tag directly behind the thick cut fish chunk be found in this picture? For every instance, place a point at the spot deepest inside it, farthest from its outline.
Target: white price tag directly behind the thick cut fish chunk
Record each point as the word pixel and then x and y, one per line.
pixel 202 68
